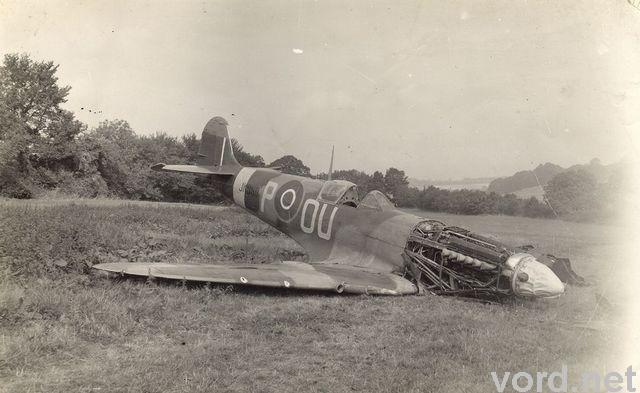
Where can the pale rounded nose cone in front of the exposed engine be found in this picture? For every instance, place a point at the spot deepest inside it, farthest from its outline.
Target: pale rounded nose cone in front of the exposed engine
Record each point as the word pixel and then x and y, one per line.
pixel 533 279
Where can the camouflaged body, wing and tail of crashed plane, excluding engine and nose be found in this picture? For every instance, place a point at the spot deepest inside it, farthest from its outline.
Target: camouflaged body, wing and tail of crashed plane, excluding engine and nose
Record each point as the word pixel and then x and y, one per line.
pixel 351 250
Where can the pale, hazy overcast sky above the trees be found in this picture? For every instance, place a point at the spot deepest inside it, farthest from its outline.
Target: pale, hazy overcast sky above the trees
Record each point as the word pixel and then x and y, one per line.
pixel 439 89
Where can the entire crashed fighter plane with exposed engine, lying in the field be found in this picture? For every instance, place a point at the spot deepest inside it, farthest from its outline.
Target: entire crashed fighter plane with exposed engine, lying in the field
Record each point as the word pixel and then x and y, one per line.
pixel 354 246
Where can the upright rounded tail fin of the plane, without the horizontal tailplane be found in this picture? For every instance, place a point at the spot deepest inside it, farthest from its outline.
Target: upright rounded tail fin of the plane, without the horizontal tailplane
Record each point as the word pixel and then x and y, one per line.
pixel 215 145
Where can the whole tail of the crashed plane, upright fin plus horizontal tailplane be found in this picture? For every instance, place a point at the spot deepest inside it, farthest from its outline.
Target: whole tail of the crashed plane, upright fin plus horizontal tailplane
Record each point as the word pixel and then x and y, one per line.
pixel 215 154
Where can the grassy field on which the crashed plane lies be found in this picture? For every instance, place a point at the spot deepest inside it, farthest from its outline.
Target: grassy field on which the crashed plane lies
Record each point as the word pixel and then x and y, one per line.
pixel 65 329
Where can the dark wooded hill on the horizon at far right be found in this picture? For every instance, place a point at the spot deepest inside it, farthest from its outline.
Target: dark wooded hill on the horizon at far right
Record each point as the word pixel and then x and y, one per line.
pixel 531 182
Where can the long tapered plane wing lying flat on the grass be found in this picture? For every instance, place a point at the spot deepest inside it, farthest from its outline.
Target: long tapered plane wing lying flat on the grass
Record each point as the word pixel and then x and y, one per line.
pixel 296 275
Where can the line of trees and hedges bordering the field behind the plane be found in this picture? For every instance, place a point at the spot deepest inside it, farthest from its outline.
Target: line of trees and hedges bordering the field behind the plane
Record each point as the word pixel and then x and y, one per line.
pixel 43 147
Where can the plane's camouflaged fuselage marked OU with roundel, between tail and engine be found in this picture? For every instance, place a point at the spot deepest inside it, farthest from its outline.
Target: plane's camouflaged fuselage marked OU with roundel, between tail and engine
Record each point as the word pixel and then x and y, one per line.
pixel 331 233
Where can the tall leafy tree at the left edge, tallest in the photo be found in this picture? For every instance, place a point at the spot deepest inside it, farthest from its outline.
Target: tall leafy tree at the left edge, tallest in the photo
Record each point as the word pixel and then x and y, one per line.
pixel 37 135
